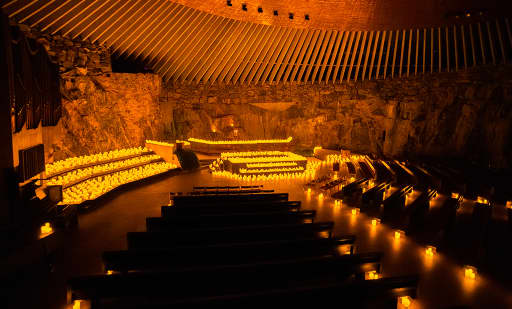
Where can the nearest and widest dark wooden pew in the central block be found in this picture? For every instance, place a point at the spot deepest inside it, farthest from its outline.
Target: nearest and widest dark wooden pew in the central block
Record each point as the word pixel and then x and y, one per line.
pixel 351 294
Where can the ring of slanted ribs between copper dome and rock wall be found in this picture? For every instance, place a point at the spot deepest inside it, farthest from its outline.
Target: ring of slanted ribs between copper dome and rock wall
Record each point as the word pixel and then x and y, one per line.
pixel 182 43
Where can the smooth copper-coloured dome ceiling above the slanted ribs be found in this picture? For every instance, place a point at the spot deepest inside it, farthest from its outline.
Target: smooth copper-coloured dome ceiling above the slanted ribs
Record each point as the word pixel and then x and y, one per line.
pixel 354 14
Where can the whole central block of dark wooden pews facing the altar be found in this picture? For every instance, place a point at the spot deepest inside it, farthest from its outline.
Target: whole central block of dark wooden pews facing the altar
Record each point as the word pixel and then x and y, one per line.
pixel 239 249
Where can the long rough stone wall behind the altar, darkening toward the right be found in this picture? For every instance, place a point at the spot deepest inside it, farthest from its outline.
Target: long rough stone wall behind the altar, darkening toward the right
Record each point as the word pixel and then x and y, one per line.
pixel 466 115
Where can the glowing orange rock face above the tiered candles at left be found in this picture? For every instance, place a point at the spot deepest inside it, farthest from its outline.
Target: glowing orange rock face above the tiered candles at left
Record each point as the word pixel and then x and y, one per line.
pixel 105 112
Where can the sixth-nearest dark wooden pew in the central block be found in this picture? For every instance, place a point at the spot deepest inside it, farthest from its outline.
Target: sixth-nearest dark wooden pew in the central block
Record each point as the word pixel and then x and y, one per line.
pixel 229 198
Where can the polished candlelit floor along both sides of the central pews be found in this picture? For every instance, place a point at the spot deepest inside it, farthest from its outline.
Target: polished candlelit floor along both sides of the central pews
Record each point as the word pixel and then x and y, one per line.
pixel 104 227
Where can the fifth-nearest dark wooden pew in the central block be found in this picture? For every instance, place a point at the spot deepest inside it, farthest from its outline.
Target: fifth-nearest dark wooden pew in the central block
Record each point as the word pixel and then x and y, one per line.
pixel 249 207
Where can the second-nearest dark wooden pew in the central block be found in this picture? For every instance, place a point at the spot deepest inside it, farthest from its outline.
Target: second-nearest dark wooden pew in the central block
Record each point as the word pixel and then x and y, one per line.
pixel 222 254
